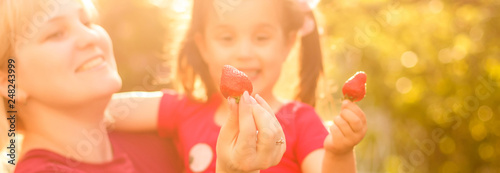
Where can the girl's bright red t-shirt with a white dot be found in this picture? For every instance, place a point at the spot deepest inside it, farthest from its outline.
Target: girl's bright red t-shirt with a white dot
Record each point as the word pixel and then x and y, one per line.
pixel 192 126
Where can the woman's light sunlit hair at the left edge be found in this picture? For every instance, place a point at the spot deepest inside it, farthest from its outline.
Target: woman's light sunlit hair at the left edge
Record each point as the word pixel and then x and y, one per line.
pixel 19 21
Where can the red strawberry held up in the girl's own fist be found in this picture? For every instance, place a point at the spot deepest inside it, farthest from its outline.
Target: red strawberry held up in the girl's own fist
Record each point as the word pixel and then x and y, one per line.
pixel 355 88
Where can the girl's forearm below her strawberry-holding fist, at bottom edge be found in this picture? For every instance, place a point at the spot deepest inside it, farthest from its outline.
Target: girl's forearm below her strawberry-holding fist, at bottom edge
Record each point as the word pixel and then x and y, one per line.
pixel 339 163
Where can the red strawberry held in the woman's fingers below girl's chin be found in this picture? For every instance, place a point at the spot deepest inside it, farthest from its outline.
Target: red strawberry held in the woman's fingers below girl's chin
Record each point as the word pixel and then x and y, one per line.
pixel 234 83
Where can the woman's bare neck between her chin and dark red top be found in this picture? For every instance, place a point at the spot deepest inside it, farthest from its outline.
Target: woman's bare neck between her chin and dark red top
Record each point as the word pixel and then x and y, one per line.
pixel 78 133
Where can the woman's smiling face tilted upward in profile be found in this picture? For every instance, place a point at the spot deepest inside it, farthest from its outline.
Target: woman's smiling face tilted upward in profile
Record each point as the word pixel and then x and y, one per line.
pixel 68 60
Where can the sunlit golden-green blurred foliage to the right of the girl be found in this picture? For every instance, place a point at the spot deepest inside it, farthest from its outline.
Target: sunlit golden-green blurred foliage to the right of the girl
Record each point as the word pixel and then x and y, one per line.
pixel 438 115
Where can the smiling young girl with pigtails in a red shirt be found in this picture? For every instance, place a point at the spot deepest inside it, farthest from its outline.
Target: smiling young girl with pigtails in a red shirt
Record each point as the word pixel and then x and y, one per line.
pixel 255 37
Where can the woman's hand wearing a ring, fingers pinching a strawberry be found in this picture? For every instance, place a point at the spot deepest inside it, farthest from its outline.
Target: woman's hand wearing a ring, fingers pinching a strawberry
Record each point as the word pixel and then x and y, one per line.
pixel 251 138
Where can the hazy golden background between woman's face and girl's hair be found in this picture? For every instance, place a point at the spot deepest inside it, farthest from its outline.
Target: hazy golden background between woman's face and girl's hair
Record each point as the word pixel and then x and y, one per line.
pixel 139 31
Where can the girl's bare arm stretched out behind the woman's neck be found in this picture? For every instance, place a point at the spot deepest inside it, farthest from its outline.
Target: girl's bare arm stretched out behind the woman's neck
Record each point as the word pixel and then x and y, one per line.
pixel 135 111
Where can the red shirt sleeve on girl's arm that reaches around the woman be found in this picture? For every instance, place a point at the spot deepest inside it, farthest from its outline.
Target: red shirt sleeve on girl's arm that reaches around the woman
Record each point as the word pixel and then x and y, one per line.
pixel 168 113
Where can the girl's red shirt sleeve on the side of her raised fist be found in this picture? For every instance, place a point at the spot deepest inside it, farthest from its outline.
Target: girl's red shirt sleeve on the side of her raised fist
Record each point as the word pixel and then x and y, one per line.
pixel 311 132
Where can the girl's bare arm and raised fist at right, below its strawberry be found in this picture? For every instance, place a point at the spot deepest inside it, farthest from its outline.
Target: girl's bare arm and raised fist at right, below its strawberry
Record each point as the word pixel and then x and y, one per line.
pixel 338 153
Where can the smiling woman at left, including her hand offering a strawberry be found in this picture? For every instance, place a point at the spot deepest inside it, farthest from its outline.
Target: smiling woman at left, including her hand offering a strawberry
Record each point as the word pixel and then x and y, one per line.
pixel 66 75
